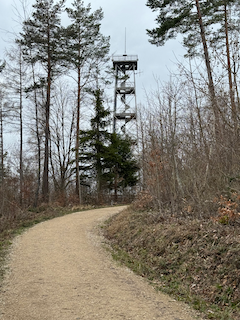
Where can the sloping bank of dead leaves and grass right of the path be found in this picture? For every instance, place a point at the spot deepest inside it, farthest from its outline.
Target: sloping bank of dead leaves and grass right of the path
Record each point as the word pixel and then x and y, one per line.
pixel 194 260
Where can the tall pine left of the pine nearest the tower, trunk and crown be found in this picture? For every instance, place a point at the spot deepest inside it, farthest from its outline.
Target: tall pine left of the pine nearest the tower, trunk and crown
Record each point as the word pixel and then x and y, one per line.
pixel 41 42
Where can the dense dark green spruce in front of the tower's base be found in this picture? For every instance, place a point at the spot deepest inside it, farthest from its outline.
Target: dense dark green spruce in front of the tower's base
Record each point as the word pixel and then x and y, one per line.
pixel 106 160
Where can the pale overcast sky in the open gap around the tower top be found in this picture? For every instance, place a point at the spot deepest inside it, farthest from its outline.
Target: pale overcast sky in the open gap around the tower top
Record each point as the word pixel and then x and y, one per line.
pixel 133 15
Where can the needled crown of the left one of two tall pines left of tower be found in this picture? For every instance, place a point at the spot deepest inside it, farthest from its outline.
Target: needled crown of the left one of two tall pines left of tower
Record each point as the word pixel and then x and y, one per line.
pixel 41 38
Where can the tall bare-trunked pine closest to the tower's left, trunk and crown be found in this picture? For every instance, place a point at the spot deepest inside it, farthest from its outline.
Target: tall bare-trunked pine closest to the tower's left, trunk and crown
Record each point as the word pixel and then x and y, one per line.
pixel 86 47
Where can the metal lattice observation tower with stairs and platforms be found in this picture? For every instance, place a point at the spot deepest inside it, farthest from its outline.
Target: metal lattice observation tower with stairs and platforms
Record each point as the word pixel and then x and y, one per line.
pixel 125 90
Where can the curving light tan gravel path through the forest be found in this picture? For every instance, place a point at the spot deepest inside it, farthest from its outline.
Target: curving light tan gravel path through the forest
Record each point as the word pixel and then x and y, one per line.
pixel 59 271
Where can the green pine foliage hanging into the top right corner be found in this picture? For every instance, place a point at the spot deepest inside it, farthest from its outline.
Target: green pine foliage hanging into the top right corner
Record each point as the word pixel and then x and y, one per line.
pixel 181 17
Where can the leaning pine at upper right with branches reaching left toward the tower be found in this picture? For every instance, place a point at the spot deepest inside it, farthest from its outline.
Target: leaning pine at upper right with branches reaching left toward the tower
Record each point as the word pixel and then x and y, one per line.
pixel 189 19
